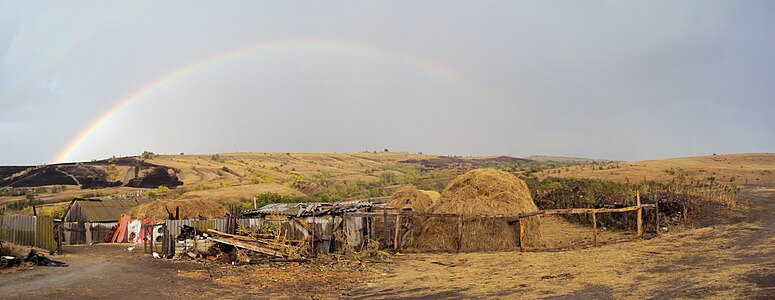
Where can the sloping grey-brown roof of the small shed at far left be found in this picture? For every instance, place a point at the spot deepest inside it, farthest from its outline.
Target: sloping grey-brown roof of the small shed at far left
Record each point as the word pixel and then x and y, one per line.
pixel 100 210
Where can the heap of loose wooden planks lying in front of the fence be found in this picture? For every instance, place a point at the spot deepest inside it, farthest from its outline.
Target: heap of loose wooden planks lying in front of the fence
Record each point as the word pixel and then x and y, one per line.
pixel 267 244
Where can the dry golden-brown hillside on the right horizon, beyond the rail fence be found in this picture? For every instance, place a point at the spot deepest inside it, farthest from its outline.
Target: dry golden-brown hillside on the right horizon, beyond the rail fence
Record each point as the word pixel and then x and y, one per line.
pixel 751 169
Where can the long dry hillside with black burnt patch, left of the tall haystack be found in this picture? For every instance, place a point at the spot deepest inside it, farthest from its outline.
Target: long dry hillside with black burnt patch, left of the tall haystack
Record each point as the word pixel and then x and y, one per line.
pixel 226 177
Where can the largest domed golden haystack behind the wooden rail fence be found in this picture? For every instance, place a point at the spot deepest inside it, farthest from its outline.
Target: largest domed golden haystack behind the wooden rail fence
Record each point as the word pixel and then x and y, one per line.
pixel 481 191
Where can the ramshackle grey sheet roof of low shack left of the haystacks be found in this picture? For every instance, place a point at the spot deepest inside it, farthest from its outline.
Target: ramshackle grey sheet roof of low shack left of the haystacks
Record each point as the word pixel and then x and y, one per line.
pixel 306 208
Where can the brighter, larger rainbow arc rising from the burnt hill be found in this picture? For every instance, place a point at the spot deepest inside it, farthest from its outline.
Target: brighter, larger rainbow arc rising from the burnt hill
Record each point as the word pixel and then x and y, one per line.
pixel 248 50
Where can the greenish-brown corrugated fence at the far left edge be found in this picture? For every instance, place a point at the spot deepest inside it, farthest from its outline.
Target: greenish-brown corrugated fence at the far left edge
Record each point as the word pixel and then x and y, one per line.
pixel 28 231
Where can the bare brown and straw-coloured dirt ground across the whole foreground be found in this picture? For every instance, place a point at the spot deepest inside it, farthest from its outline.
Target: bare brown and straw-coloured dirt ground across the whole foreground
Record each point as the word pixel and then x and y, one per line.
pixel 723 261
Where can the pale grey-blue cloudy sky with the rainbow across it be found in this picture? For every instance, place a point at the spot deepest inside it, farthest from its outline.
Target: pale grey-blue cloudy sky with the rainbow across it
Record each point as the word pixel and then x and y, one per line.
pixel 624 80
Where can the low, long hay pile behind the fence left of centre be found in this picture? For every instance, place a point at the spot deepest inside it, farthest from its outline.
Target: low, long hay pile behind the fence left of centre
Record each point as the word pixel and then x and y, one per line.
pixel 189 209
